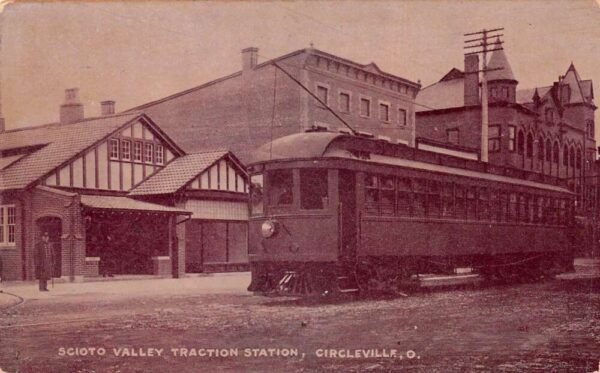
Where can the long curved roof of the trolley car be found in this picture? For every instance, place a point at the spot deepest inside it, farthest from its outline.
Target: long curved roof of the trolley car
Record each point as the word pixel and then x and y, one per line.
pixel 328 145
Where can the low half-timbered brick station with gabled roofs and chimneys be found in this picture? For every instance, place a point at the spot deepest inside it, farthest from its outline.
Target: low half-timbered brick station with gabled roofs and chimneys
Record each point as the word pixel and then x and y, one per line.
pixel 73 179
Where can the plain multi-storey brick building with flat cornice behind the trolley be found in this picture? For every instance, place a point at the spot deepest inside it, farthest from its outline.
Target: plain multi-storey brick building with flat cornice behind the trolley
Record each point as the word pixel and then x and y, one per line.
pixel 250 107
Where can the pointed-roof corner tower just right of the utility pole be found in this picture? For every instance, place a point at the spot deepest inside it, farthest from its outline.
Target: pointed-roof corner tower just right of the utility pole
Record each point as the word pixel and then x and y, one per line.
pixel 502 84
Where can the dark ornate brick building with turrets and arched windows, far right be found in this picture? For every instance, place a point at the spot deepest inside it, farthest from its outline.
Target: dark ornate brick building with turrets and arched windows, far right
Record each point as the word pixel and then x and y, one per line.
pixel 548 129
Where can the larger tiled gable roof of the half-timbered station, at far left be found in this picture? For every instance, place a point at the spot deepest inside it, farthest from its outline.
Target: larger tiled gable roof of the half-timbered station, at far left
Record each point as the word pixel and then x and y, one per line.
pixel 59 143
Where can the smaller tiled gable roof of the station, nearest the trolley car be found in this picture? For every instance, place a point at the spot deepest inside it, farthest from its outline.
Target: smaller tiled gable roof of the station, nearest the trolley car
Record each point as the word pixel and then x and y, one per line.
pixel 181 171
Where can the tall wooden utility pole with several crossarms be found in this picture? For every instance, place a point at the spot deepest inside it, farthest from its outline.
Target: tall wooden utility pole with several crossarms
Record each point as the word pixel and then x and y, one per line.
pixel 482 43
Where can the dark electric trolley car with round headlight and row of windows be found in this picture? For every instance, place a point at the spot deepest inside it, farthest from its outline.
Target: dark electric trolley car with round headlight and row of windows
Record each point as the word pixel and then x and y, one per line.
pixel 334 212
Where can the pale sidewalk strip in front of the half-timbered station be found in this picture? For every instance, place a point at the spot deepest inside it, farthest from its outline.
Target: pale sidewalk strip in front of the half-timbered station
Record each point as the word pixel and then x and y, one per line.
pixel 232 282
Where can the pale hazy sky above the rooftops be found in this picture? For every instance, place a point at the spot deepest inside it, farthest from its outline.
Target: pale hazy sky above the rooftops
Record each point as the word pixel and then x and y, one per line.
pixel 136 52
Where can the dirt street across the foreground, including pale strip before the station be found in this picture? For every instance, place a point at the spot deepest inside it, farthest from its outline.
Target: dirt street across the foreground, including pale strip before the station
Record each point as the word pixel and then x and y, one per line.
pixel 211 324
